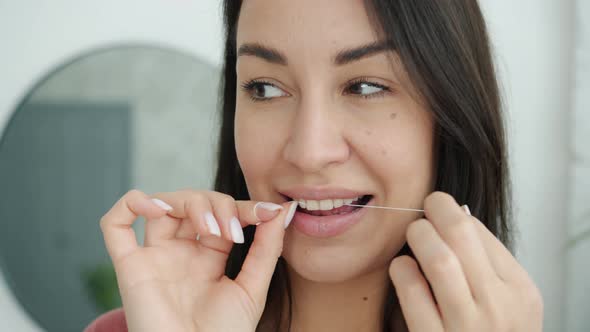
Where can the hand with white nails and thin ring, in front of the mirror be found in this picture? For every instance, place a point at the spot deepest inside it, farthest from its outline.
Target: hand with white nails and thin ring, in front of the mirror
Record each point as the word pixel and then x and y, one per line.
pixel 175 282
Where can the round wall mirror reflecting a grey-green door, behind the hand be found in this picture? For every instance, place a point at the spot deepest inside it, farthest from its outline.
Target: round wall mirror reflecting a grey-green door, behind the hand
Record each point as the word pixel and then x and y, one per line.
pixel 108 121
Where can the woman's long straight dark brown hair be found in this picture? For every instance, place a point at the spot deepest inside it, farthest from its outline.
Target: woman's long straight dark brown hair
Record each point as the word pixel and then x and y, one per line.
pixel 444 47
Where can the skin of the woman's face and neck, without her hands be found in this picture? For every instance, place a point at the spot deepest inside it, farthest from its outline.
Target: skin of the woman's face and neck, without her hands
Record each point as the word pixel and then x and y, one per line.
pixel 328 130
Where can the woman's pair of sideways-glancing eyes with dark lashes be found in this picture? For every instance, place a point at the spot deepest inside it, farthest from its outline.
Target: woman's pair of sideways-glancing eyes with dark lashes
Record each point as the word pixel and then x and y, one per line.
pixel 263 90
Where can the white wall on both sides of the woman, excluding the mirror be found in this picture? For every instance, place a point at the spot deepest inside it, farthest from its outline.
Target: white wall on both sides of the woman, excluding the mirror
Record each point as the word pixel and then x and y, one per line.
pixel 533 45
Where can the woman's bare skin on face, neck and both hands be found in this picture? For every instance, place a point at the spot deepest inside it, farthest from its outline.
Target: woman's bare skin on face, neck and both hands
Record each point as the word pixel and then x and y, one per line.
pixel 317 133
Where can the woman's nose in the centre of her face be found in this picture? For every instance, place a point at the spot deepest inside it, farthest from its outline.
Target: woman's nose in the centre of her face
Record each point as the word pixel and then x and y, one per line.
pixel 316 140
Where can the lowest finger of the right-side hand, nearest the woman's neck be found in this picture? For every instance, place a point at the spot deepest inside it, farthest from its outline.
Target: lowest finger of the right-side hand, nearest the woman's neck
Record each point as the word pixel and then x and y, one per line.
pixel 418 306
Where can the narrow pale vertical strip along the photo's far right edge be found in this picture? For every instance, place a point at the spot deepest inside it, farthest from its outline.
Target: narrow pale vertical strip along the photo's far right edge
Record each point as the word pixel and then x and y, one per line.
pixel 578 246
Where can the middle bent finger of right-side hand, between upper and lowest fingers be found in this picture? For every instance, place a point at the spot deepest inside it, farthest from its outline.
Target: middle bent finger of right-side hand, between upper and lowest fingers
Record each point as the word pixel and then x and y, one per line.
pixel 442 269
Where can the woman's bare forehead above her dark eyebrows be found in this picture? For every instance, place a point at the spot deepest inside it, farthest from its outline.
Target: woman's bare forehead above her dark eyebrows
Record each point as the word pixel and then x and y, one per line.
pixel 325 26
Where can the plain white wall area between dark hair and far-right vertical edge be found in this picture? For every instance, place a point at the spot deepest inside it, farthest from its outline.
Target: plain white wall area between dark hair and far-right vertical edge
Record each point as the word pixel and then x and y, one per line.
pixel 534 49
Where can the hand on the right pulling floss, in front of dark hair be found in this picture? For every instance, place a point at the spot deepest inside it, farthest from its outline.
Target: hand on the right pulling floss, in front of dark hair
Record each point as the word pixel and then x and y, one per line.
pixel 478 285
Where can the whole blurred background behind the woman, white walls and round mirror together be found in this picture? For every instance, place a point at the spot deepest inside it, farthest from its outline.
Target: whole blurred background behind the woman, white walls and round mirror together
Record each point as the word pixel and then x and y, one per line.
pixel 100 97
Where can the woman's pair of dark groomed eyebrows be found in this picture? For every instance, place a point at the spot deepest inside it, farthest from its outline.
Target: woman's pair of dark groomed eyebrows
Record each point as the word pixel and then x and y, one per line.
pixel 342 58
